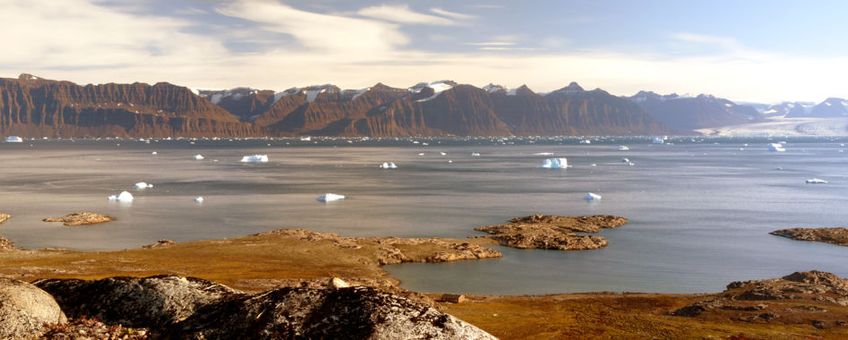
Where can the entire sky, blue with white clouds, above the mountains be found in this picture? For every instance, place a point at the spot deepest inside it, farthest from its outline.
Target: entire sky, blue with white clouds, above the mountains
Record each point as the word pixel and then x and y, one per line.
pixel 753 50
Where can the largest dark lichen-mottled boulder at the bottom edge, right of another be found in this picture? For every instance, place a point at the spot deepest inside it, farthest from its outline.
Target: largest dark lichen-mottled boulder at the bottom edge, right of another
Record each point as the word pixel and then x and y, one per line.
pixel 350 313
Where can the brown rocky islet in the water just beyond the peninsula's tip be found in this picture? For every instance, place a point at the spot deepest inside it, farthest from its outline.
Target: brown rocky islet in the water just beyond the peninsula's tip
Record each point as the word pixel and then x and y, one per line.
pixel 553 232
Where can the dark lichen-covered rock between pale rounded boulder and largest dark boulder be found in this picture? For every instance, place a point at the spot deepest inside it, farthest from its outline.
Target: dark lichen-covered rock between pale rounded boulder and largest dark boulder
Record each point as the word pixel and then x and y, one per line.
pixel 152 302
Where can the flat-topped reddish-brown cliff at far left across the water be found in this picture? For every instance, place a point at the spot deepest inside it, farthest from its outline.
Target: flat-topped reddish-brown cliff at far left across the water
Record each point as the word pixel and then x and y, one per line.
pixel 34 107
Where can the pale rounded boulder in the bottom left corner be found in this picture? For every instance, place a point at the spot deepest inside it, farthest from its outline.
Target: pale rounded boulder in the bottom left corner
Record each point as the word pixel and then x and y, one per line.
pixel 25 309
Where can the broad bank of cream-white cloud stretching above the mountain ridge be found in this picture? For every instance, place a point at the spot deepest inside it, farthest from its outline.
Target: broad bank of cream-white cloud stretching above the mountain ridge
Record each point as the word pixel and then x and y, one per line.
pixel 83 42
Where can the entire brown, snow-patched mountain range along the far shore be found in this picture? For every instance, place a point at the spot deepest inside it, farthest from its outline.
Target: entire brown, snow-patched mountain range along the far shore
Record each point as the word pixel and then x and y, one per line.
pixel 32 107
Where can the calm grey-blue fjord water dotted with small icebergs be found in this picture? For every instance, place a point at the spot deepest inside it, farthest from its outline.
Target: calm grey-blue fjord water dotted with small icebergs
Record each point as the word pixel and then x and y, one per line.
pixel 700 213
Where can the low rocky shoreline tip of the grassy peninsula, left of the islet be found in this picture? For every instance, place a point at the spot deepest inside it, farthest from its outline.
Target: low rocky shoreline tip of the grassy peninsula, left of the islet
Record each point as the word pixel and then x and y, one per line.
pixel 395 250
